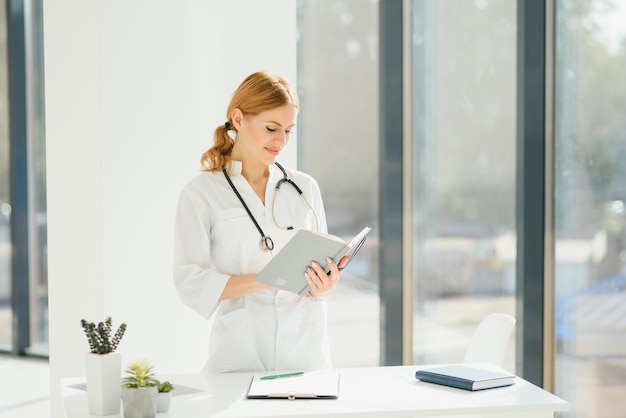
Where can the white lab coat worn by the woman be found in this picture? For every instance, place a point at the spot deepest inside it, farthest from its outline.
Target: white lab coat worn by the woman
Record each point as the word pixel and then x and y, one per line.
pixel 215 239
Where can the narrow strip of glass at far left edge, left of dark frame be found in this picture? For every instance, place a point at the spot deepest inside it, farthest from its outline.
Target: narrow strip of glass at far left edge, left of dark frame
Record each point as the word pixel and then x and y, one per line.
pixel 5 204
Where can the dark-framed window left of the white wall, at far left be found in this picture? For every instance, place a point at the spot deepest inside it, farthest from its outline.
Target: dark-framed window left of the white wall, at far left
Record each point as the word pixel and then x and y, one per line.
pixel 23 263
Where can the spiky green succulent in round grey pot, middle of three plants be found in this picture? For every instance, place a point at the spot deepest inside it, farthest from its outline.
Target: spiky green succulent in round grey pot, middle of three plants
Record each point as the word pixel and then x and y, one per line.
pixel 140 388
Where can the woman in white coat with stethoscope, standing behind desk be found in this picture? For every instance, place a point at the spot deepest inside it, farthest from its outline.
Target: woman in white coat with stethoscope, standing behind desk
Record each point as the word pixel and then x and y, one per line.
pixel 232 219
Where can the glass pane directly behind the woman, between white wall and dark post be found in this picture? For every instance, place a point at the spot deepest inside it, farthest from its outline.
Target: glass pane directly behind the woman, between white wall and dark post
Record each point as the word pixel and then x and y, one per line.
pixel 337 144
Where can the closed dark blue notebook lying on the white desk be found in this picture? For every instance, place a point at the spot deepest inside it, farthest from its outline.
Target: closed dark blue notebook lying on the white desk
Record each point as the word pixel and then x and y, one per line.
pixel 465 377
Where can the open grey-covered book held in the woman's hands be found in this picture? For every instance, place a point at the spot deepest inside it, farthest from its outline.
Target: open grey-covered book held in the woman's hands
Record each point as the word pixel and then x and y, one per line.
pixel 286 269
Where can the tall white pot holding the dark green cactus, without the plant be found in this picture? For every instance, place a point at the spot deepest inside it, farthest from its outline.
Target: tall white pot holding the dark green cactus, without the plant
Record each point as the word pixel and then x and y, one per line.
pixel 103 373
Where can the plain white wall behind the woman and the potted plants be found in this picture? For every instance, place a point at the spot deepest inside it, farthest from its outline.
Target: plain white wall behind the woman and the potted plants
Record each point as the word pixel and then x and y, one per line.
pixel 133 93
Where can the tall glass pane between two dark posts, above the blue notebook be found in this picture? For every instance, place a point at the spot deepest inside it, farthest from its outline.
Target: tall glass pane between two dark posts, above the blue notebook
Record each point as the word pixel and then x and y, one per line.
pixel 464 101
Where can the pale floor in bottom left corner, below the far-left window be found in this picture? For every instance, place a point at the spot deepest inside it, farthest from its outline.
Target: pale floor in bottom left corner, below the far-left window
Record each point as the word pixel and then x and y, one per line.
pixel 16 374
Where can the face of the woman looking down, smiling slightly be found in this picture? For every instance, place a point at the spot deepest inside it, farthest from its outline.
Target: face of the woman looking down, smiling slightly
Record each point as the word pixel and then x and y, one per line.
pixel 261 138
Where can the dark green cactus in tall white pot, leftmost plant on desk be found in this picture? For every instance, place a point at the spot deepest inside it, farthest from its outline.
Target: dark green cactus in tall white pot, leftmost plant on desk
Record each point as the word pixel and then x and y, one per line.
pixel 103 366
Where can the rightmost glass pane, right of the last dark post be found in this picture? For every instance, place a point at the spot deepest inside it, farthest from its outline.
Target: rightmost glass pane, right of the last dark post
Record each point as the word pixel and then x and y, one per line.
pixel 590 187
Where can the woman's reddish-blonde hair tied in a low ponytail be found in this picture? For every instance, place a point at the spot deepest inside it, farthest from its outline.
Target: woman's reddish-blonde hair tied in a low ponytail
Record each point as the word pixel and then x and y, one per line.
pixel 259 92
